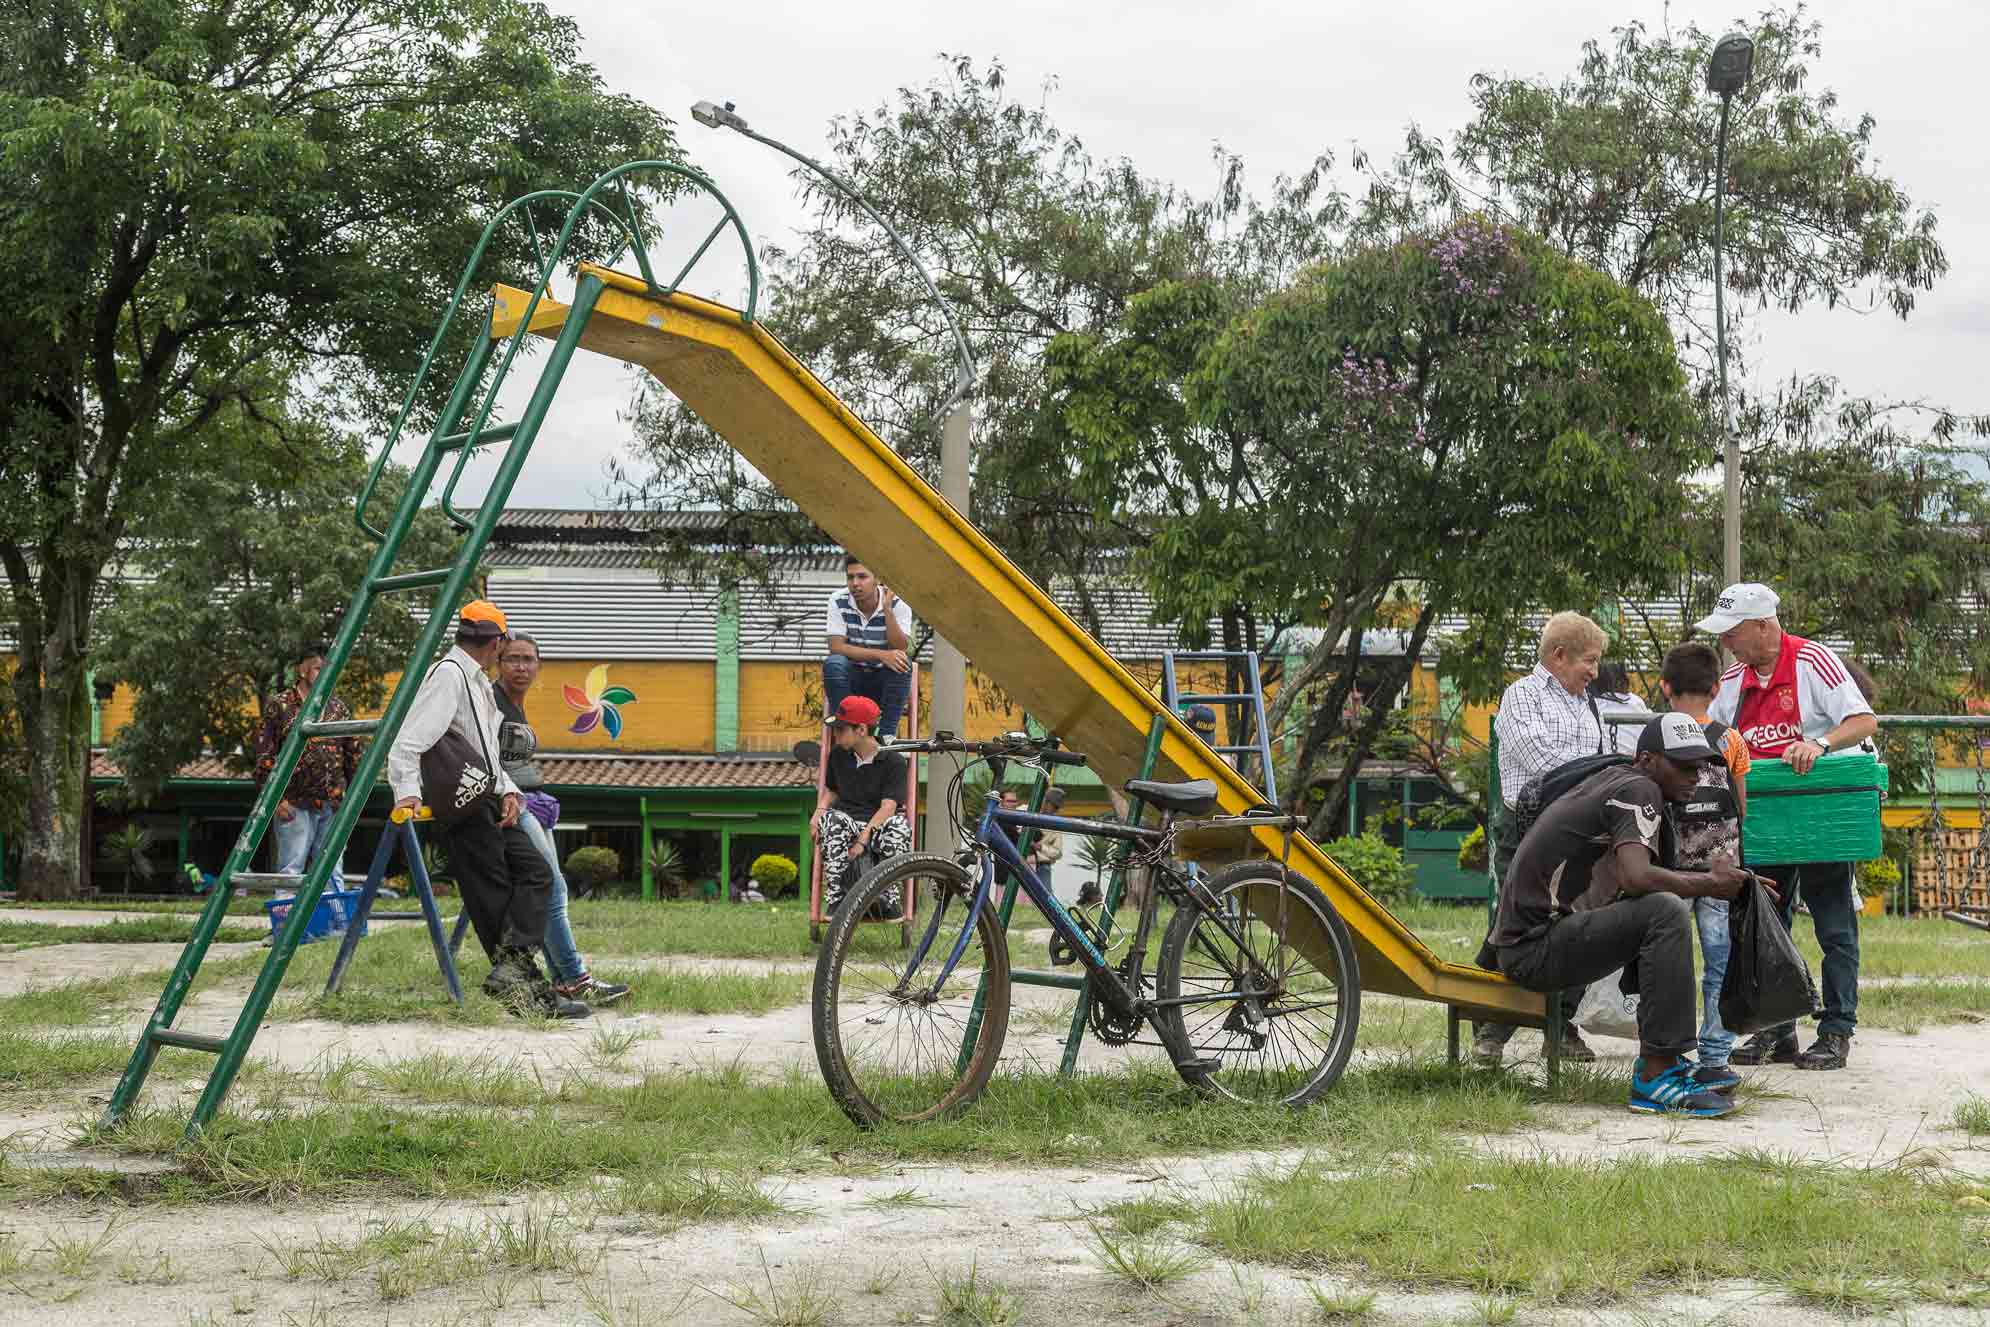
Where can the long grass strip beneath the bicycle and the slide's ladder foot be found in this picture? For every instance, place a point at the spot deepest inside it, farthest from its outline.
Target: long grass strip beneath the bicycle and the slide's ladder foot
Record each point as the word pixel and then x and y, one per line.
pixel 727 1123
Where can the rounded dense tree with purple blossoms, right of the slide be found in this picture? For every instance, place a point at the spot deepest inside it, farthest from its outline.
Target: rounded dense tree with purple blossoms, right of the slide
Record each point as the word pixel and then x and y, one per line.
pixel 1468 415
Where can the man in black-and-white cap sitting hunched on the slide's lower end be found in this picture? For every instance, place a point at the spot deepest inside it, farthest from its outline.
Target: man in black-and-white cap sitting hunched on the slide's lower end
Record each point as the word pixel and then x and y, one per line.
pixel 1587 896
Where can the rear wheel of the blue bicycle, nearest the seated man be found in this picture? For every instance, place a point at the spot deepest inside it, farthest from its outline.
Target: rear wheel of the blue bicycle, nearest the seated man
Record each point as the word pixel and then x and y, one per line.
pixel 1267 1051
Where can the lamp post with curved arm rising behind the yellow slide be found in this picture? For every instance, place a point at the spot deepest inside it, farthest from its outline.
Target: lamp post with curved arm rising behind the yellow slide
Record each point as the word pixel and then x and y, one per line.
pixel 950 667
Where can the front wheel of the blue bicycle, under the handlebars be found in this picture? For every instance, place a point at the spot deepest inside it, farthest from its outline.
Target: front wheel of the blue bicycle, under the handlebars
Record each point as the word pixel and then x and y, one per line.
pixel 920 1075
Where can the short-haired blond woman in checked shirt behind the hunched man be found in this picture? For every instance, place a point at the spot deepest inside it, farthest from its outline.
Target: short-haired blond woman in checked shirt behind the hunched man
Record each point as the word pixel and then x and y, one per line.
pixel 1545 721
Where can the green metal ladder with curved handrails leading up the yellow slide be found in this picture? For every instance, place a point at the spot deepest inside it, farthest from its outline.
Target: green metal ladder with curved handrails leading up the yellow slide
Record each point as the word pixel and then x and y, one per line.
pixel 451 437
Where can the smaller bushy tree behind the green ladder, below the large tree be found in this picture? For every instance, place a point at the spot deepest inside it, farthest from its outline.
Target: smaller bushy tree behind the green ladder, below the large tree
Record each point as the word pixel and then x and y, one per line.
pixel 234 586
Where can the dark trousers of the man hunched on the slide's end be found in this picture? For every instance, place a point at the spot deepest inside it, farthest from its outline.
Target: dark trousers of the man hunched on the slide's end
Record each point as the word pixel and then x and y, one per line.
pixel 1653 932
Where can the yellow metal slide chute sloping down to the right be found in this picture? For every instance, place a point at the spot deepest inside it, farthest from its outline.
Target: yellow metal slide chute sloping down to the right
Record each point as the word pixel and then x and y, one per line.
pixel 855 486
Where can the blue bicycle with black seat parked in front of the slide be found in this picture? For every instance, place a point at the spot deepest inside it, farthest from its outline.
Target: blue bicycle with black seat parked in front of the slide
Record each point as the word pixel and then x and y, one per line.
pixel 1255 992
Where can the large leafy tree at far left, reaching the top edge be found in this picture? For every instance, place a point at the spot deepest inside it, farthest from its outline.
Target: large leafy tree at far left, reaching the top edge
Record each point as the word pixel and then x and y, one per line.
pixel 200 206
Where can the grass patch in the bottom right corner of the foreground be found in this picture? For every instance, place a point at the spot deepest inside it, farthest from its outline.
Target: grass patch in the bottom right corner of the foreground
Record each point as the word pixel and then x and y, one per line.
pixel 1499 1227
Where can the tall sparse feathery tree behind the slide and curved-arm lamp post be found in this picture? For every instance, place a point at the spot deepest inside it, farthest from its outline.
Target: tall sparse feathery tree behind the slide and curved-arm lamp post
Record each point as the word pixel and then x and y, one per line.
pixel 1030 238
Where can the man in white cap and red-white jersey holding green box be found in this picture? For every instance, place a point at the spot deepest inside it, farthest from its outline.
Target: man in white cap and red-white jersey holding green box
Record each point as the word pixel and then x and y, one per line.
pixel 1796 701
